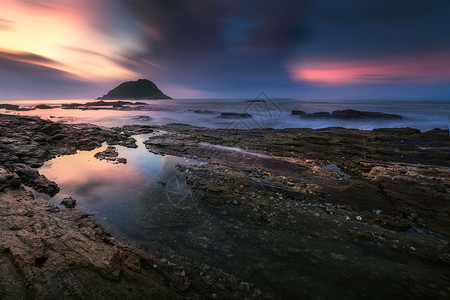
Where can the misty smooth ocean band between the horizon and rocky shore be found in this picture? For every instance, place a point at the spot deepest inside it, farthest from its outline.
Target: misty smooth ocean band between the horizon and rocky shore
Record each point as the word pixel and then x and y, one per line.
pixel 421 114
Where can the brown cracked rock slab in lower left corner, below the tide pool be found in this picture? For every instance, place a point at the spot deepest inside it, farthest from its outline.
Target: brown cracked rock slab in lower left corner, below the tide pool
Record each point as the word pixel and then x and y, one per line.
pixel 48 253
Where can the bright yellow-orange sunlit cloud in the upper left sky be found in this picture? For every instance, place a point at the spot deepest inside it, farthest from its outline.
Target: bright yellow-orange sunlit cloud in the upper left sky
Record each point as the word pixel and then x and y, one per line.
pixel 63 33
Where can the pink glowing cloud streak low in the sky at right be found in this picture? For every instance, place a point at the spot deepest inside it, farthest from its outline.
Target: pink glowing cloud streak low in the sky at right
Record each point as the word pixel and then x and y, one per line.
pixel 426 68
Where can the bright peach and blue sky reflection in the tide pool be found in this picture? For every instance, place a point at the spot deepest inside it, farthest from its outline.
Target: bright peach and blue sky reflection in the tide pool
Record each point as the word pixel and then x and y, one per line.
pixel 116 193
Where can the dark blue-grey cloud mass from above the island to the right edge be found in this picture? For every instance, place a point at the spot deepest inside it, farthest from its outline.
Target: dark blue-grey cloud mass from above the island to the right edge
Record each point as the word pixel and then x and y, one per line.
pixel 245 45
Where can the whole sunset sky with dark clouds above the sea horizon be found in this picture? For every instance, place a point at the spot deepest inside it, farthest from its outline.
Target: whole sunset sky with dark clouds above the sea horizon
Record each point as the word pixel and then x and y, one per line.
pixel 356 49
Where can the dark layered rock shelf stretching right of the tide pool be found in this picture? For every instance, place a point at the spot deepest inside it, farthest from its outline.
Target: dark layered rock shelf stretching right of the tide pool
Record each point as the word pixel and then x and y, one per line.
pixel 373 205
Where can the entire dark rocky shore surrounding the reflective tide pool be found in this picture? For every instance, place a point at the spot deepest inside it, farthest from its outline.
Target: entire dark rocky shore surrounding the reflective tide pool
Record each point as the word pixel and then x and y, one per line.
pixel 333 211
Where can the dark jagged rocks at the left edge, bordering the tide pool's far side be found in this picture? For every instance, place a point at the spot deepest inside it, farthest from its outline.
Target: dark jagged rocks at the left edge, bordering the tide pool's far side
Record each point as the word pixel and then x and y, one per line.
pixel 27 142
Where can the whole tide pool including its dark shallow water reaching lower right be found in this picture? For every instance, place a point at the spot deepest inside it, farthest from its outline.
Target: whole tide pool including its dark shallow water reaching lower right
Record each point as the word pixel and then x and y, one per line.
pixel 147 203
